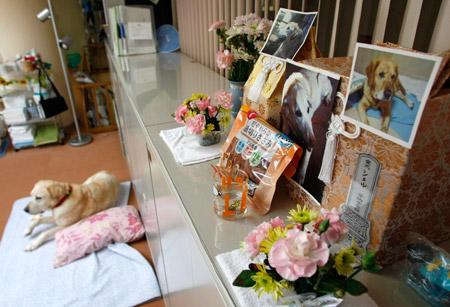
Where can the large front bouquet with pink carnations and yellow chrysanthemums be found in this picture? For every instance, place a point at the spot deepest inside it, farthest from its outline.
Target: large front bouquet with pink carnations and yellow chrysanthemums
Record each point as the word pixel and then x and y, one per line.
pixel 303 260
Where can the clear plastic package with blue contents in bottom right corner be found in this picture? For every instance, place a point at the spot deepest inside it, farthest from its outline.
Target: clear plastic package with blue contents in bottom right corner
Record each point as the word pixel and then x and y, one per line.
pixel 427 270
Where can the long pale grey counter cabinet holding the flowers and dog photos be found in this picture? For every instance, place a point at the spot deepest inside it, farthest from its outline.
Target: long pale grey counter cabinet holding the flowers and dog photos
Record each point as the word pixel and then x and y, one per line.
pixel 175 201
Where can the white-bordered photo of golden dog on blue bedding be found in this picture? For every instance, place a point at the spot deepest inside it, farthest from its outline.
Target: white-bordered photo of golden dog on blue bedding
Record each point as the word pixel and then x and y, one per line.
pixel 388 91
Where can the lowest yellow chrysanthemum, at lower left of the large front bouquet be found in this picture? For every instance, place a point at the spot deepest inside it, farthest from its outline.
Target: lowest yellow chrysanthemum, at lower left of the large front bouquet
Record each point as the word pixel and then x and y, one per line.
pixel 265 283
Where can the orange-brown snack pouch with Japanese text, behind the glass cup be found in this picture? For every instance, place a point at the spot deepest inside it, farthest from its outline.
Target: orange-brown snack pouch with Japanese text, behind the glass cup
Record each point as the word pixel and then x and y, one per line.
pixel 263 152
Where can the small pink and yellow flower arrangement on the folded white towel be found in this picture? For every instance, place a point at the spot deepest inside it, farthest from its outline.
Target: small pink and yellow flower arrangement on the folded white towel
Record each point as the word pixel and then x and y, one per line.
pixel 202 118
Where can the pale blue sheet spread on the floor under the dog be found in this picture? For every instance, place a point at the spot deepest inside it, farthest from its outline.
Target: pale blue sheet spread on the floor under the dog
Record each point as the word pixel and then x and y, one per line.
pixel 114 276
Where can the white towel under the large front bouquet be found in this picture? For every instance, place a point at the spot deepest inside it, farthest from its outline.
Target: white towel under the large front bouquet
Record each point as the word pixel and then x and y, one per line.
pixel 232 263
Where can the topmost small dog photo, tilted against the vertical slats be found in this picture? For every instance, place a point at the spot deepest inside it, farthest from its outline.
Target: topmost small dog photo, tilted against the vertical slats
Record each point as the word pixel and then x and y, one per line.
pixel 288 33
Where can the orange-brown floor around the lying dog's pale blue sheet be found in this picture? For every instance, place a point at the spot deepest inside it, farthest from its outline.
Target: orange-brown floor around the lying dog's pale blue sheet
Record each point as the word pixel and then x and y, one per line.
pixel 20 170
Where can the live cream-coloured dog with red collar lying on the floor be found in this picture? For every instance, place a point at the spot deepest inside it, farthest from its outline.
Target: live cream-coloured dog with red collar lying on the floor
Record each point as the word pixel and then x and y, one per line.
pixel 69 203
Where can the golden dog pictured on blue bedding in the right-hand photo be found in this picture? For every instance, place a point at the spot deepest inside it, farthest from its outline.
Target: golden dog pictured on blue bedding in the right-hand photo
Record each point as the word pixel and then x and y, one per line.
pixel 381 84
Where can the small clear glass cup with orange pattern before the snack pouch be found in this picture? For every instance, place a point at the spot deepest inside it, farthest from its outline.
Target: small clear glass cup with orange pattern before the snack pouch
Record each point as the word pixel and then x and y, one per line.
pixel 230 193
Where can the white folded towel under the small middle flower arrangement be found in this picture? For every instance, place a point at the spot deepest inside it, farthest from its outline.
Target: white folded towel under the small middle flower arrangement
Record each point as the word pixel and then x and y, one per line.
pixel 186 149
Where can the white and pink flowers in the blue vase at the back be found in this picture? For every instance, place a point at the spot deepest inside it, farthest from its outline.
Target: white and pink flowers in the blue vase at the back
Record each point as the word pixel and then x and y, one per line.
pixel 242 43
